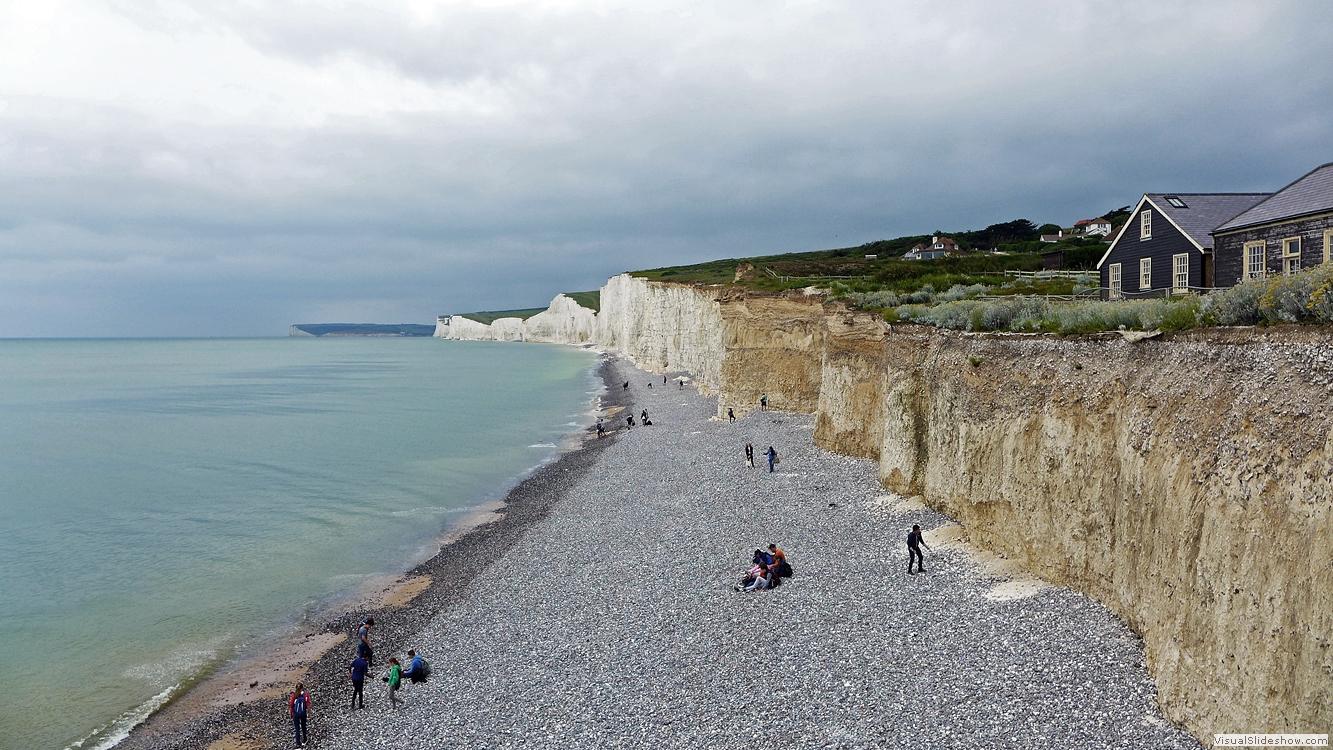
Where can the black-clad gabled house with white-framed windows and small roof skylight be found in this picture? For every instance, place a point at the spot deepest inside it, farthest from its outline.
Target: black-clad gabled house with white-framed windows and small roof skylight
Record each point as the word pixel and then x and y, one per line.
pixel 1166 246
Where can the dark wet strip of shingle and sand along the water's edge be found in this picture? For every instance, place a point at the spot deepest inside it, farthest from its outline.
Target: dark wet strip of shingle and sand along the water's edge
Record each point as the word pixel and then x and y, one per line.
pixel 241 705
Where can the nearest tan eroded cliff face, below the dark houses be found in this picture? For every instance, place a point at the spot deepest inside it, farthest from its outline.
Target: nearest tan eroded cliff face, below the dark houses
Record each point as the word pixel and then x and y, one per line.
pixel 1183 482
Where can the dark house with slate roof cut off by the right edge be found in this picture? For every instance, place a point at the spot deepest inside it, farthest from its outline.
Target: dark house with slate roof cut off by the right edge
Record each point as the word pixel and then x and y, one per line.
pixel 1288 232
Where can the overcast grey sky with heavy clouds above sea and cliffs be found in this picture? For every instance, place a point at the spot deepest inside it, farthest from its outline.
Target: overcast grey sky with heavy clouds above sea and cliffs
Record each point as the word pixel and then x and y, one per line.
pixel 229 169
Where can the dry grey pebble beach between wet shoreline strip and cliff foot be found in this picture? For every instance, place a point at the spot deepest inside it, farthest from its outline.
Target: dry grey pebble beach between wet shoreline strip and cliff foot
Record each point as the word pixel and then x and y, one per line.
pixel 614 624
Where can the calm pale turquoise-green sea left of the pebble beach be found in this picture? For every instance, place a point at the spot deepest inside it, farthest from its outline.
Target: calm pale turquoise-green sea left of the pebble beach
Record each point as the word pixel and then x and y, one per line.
pixel 167 506
